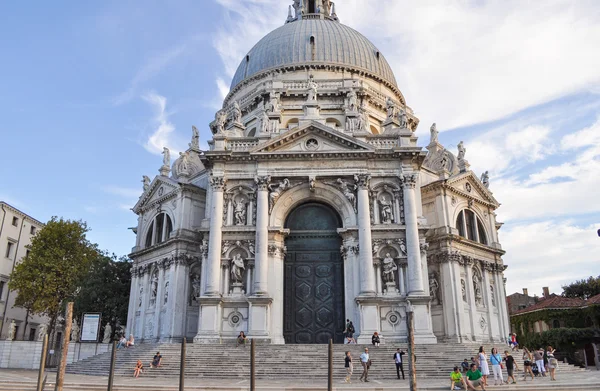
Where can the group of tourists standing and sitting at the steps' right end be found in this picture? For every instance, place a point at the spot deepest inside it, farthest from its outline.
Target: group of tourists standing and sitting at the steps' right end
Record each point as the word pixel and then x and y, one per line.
pixel 477 371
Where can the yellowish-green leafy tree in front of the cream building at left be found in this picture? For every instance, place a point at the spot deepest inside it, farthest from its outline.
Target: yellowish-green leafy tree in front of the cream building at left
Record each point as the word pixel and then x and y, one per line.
pixel 60 256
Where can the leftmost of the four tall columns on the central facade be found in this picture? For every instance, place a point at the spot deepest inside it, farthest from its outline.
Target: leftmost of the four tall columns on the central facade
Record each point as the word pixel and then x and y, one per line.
pixel 213 268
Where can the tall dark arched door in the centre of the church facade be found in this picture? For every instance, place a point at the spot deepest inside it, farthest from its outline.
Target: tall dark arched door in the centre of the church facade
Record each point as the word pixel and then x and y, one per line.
pixel 314 276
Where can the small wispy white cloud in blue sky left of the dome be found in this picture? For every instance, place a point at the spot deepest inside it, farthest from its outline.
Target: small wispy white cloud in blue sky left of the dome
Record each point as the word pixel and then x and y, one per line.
pixel 164 131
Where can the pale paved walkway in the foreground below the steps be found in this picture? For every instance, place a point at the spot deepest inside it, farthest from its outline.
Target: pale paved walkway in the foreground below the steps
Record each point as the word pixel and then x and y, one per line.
pixel 23 380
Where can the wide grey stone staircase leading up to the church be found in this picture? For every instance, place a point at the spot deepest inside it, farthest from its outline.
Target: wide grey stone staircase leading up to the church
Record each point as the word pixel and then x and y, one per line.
pixel 280 361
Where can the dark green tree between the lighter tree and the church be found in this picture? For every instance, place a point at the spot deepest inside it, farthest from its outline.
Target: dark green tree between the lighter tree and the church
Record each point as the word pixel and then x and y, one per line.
pixel 105 289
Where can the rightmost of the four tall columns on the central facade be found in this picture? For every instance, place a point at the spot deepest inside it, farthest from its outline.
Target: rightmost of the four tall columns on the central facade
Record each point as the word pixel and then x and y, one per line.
pixel 415 269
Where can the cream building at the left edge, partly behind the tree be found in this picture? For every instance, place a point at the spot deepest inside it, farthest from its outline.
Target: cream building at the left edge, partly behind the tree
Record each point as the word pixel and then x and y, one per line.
pixel 16 232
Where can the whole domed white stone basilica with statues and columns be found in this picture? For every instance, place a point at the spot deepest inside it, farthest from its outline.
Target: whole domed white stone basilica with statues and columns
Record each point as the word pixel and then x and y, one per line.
pixel 314 204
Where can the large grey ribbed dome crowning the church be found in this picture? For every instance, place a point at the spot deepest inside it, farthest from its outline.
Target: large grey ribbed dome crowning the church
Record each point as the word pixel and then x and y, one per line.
pixel 334 44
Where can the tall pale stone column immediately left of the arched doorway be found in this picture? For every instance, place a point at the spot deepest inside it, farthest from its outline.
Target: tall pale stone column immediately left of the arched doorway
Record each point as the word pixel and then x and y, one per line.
pixel 262 237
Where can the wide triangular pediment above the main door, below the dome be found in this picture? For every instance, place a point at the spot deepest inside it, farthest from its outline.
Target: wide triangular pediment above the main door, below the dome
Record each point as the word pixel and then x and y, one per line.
pixel 312 138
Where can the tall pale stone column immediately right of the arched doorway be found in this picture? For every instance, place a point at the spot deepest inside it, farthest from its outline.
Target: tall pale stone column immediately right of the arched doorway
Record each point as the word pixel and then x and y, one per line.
pixel 367 272
